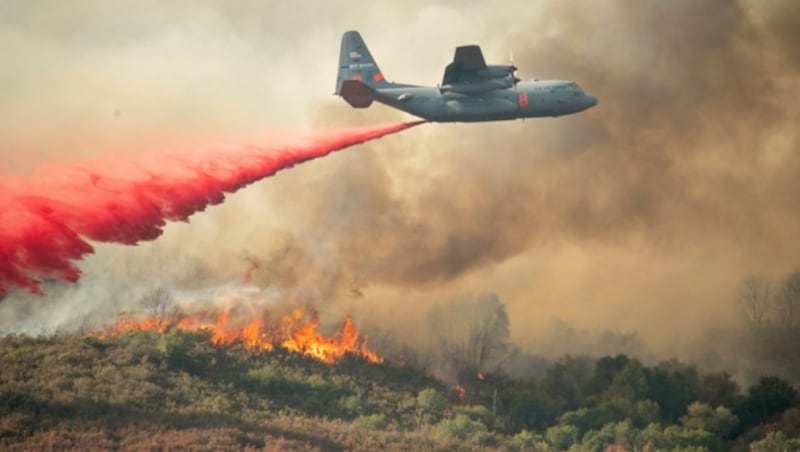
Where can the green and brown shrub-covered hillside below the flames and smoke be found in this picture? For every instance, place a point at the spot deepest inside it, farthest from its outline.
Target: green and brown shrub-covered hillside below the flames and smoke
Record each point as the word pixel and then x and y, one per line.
pixel 148 390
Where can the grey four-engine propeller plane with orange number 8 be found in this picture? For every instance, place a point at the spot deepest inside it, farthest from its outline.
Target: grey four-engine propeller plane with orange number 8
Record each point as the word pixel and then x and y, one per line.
pixel 471 90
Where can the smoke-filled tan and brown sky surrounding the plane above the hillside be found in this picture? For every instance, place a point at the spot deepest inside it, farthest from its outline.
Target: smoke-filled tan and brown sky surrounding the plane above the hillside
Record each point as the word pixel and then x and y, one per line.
pixel 641 215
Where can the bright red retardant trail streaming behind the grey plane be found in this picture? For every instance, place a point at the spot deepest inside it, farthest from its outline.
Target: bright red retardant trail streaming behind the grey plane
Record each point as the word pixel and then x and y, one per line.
pixel 45 221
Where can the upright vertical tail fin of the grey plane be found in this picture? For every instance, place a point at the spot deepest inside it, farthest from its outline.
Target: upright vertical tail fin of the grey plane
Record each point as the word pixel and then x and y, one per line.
pixel 356 63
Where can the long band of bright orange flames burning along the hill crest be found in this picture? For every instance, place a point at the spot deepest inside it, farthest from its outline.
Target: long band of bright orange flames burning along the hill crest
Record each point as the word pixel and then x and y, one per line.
pixel 292 333
